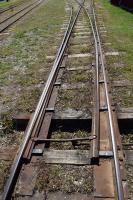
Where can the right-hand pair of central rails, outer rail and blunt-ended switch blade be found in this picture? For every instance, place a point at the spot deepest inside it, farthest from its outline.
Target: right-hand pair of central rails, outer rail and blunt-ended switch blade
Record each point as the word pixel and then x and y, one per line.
pixel 99 58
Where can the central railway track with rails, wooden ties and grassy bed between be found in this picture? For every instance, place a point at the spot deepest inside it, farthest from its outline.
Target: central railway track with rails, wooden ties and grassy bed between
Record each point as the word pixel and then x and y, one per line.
pixel 40 155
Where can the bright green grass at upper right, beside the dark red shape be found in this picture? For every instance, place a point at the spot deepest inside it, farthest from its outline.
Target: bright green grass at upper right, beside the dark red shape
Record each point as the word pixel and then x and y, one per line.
pixel 119 24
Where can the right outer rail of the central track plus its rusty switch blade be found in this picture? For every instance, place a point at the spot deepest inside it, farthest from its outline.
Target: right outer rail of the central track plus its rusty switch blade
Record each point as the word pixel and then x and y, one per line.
pixel 98 50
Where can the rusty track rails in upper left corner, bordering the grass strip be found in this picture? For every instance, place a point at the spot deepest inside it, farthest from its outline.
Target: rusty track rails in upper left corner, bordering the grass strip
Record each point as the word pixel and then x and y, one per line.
pixel 11 19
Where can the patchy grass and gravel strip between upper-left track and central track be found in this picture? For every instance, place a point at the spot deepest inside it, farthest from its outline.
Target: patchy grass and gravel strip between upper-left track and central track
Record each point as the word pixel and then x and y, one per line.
pixel 23 53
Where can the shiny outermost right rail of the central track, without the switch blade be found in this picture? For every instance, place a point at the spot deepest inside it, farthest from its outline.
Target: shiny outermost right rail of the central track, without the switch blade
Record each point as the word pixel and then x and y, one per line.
pixel 112 132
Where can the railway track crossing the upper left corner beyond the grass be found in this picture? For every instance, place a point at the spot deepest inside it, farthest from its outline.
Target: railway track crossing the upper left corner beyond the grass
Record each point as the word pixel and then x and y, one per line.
pixel 11 17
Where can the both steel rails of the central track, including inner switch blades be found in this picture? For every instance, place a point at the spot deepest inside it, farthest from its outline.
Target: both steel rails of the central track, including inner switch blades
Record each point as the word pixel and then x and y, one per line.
pixel 37 119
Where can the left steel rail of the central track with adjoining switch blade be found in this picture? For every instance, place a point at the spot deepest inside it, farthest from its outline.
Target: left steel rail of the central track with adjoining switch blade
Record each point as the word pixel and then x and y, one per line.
pixel 36 122
